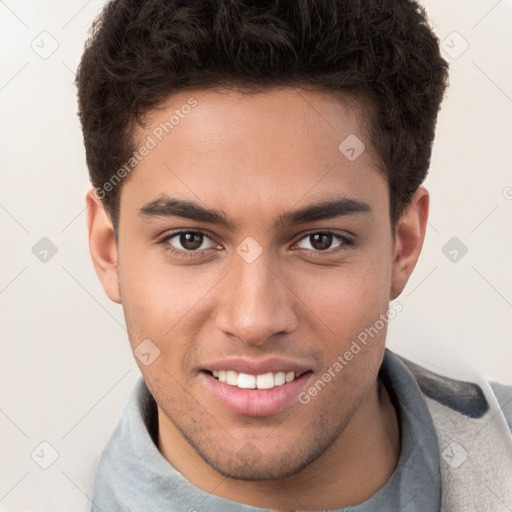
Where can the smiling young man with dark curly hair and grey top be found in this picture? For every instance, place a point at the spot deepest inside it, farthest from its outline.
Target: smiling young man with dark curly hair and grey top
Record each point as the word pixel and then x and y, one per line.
pixel 257 205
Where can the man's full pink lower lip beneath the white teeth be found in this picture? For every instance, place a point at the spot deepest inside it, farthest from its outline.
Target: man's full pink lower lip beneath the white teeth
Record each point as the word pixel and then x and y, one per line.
pixel 256 402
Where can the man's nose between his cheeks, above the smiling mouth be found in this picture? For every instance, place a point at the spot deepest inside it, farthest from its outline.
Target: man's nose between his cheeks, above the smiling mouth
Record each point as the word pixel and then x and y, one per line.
pixel 256 303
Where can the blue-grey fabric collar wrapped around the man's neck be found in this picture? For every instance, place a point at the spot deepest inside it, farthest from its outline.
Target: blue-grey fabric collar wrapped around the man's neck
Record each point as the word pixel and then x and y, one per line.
pixel 132 475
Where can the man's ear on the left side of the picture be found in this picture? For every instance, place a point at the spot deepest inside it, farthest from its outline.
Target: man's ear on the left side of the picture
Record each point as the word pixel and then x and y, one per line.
pixel 102 245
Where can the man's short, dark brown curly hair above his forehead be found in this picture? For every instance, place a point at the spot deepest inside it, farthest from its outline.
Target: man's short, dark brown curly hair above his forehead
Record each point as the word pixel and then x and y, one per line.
pixel 382 52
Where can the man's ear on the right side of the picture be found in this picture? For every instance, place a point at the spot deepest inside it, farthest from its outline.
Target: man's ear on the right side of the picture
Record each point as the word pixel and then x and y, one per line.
pixel 410 234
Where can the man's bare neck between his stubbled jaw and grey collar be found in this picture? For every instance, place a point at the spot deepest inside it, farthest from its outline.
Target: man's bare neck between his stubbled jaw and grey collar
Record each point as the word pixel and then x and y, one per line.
pixel 351 470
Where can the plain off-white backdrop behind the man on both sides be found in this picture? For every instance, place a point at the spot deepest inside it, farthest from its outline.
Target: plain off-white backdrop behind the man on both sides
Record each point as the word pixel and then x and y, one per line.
pixel 66 367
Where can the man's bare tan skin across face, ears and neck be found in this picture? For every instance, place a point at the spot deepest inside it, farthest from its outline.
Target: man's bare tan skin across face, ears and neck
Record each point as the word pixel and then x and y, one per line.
pixel 254 157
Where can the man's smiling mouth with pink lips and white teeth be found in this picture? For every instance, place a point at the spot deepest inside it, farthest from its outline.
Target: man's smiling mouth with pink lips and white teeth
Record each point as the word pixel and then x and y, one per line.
pixel 252 393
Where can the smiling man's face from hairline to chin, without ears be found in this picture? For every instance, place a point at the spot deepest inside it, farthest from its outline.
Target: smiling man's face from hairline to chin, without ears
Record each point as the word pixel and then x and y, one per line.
pixel 249 243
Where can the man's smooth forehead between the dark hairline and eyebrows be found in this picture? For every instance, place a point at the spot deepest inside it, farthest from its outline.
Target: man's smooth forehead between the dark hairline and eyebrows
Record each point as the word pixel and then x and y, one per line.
pixel 260 152
